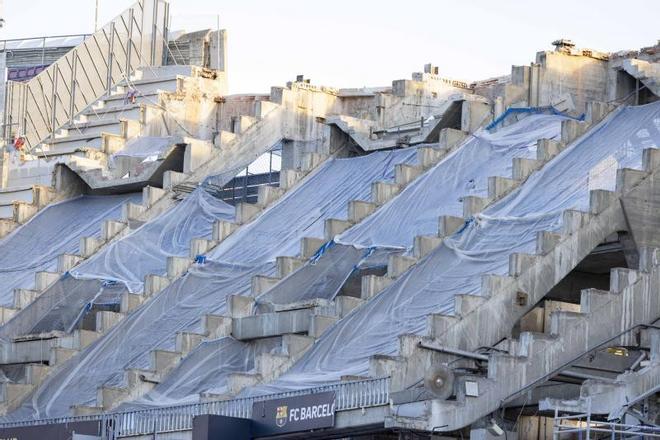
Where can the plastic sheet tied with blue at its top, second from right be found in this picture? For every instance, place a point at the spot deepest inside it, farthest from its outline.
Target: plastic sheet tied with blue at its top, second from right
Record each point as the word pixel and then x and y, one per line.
pixel 416 210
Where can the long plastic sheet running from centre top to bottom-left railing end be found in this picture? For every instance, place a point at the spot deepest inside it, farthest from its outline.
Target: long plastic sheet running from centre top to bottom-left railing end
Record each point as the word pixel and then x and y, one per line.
pixel 203 290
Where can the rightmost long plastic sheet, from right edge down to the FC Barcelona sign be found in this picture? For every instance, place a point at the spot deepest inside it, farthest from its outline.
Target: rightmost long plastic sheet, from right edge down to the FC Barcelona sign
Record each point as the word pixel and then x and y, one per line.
pixel 483 247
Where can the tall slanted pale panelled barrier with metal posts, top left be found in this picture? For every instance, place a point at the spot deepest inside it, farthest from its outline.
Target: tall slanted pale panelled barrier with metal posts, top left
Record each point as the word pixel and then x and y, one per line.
pixel 35 109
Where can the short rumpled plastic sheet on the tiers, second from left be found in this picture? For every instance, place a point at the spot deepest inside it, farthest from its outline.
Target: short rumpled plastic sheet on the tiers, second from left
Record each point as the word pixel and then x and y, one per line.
pixel 101 279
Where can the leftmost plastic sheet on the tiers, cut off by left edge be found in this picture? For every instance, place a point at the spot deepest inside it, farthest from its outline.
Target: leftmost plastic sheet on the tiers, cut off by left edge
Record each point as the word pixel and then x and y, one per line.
pixel 55 230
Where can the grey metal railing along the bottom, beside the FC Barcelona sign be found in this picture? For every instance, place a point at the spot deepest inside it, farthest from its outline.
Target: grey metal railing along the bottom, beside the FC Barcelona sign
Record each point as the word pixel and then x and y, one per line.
pixel 348 395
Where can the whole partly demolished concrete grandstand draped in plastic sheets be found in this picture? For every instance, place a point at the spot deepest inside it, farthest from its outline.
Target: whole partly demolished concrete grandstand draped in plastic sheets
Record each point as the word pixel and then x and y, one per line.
pixel 428 259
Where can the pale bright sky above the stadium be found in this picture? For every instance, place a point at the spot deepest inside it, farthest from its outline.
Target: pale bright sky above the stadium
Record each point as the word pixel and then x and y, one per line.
pixel 356 43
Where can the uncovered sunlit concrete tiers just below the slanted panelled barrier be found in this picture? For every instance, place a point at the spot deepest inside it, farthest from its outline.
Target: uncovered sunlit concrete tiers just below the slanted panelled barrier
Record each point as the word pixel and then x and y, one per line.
pixel 85 144
